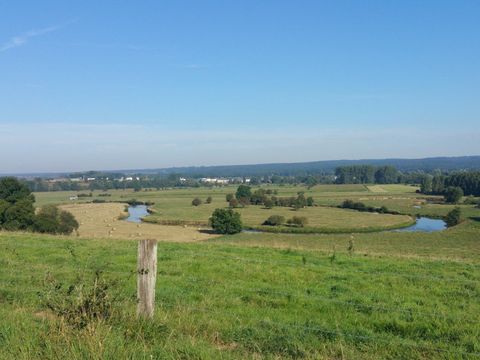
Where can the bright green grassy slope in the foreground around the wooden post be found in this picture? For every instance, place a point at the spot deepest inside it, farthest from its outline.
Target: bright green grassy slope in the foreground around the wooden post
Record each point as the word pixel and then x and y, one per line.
pixel 221 299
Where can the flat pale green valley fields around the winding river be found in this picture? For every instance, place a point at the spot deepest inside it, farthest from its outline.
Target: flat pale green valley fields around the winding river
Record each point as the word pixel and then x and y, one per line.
pixel 175 205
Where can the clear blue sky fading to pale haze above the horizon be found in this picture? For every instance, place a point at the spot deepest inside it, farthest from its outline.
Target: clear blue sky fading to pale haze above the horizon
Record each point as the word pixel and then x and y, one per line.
pixel 146 84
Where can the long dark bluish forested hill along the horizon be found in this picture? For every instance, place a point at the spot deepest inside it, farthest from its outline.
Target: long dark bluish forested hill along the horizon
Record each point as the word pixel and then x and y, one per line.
pixel 328 167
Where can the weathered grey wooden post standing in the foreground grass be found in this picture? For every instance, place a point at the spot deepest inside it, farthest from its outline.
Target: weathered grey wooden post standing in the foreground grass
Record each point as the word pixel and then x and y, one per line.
pixel 146 277
